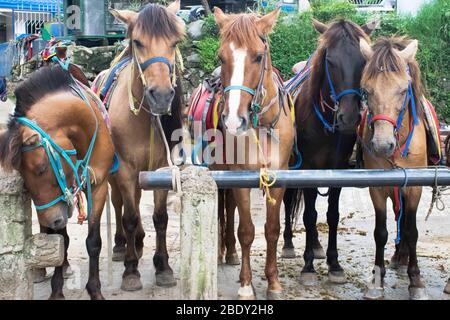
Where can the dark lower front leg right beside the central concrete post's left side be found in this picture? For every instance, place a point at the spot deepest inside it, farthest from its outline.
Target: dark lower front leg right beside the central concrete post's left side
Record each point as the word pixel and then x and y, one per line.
pixel 164 274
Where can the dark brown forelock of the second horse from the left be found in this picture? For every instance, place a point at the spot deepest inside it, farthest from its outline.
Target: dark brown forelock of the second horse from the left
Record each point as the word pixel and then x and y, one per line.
pixel 155 21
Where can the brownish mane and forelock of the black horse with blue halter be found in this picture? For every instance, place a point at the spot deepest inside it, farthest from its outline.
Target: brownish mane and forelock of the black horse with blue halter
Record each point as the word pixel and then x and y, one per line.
pixel 337 31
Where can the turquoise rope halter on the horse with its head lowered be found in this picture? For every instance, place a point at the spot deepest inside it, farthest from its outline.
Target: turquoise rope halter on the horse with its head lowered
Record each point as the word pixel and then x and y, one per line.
pixel 80 168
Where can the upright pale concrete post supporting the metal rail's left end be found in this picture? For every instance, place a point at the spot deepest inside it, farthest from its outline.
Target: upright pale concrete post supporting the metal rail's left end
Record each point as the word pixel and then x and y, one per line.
pixel 199 235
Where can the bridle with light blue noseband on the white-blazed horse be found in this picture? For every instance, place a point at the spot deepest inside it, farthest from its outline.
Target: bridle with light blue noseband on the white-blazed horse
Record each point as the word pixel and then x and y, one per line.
pixel 259 94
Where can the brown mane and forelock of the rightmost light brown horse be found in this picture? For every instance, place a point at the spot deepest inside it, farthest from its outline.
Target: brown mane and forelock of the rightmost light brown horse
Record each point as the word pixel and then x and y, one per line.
pixel 385 59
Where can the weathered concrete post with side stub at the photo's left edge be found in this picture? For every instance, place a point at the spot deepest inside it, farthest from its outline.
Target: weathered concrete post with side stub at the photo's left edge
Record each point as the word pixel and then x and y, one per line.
pixel 20 251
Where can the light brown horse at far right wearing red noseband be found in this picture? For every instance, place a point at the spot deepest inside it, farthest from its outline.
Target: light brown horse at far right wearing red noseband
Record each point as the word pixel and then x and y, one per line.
pixel 394 136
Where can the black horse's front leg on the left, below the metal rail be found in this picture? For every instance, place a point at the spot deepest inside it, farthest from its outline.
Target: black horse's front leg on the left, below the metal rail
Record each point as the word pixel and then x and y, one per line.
pixel 308 276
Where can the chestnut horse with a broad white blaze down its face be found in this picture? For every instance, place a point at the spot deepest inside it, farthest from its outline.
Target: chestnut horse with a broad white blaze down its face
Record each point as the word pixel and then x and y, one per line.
pixel 254 108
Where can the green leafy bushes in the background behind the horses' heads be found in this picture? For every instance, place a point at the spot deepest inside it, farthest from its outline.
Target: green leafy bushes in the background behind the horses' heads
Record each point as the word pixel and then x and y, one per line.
pixel 294 39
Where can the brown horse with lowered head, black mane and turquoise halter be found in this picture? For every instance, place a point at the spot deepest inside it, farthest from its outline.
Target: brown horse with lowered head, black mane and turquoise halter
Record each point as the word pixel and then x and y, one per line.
pixel 60 144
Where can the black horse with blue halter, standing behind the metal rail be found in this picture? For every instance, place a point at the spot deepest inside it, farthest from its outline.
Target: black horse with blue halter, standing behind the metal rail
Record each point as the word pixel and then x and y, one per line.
pixel 327 108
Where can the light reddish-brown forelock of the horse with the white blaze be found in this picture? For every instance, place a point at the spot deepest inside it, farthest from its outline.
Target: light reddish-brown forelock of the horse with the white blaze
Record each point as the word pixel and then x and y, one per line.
pixel 241 29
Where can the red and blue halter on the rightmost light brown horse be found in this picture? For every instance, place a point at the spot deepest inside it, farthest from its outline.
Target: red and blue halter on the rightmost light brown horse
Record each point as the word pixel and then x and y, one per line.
pixel 398 123
